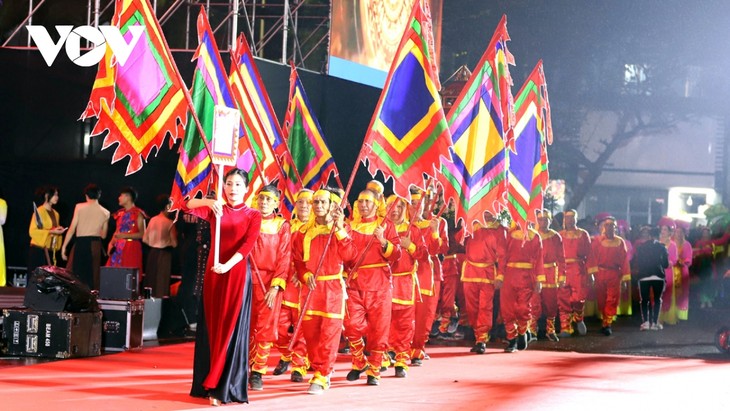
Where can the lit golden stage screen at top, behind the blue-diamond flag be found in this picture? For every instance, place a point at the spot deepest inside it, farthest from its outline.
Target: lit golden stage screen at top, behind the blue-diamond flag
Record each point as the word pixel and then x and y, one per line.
pixel 365 34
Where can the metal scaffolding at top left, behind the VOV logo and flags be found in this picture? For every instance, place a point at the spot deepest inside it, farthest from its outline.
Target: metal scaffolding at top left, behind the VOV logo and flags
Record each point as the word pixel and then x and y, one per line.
pixel 302 26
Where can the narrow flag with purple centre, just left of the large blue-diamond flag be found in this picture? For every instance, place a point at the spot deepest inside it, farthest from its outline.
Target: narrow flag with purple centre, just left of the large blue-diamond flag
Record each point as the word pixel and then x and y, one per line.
pixel 304 135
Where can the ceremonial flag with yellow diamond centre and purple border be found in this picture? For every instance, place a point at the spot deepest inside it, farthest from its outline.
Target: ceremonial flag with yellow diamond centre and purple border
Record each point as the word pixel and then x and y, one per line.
pixel 475 178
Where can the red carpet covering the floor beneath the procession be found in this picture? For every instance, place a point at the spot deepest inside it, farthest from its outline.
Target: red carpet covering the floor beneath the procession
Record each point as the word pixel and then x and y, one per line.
pixel 158 378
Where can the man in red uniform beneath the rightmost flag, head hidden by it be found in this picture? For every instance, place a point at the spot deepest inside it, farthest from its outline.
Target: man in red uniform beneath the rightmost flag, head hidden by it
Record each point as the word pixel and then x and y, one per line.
pixel 522 268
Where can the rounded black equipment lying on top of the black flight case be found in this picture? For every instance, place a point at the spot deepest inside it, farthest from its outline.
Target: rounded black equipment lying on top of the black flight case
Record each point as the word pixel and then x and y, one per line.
pixel 56 289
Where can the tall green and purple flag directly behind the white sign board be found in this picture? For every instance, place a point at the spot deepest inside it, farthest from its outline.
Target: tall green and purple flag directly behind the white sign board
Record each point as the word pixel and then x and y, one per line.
pixel 210 88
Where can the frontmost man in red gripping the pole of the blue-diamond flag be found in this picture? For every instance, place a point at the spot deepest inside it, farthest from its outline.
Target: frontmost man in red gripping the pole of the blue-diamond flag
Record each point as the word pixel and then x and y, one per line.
pixel 323 291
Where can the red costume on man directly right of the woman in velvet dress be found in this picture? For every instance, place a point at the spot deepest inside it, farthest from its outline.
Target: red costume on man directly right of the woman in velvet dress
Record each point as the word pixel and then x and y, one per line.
pixel 271 257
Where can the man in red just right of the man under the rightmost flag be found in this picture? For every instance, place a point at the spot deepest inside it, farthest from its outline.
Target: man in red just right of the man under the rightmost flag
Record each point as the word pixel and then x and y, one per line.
pixel 553 256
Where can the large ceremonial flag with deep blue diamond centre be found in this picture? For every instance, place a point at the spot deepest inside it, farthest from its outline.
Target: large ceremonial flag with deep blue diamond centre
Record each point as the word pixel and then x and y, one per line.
pixel 408 133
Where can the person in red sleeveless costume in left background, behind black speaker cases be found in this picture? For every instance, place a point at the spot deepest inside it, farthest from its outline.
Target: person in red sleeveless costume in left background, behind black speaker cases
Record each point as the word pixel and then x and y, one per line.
pixel 125 248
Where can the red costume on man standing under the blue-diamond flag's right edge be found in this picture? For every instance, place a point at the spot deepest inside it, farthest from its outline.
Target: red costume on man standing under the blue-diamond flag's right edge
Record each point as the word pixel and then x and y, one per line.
pixel 430 277
